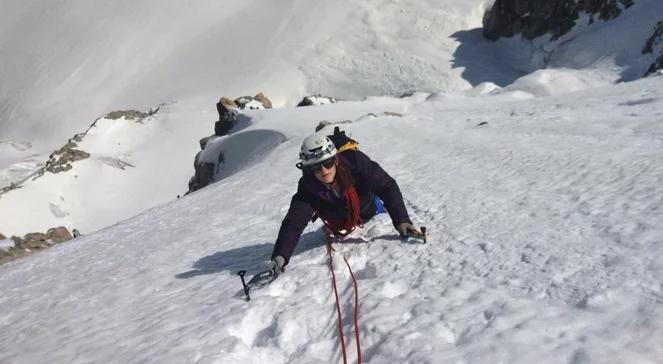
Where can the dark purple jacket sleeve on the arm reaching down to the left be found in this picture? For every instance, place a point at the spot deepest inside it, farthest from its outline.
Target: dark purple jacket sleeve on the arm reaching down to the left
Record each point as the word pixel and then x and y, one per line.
pixel 292 226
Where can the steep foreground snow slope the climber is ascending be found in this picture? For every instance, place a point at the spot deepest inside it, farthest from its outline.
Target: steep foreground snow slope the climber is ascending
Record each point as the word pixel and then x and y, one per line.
pixel 545 246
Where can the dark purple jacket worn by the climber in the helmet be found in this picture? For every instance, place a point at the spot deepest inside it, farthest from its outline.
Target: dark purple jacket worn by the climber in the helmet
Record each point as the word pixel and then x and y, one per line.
pixel 312 195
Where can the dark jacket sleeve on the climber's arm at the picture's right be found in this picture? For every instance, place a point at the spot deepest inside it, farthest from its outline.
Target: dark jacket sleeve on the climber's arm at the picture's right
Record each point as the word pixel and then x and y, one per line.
pixel 385 187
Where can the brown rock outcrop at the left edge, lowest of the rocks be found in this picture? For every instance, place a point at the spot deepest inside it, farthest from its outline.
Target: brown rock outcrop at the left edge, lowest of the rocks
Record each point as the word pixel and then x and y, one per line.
pixel 33 242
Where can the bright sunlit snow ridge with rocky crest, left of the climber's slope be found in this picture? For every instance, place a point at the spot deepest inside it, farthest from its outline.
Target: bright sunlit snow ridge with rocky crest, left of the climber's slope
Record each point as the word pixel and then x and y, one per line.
pixel 110 171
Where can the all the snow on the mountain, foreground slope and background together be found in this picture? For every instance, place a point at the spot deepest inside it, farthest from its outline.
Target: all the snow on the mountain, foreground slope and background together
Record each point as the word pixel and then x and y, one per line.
pixel 542 191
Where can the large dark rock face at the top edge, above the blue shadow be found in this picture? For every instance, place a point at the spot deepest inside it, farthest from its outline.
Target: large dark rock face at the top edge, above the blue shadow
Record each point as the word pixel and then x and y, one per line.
pixel 534 18
